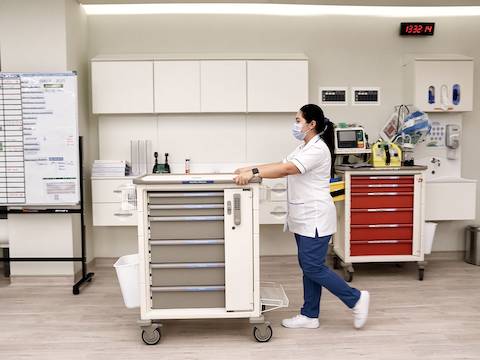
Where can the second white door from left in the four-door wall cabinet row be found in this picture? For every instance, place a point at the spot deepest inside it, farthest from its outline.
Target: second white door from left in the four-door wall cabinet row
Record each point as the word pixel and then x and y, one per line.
pixel 177 86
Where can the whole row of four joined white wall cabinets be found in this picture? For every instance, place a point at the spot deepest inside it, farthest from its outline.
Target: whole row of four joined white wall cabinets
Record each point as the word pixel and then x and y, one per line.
pixel 194 84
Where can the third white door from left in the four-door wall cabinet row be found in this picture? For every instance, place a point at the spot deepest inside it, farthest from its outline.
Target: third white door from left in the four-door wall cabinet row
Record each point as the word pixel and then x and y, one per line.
pixel 224 86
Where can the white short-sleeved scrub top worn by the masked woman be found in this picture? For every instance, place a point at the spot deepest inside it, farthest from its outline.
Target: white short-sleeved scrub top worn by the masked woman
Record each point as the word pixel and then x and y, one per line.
pixel 310 205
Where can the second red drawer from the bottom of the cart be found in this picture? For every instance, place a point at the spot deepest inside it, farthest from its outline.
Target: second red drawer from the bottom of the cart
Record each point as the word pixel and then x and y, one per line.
pixel 381 232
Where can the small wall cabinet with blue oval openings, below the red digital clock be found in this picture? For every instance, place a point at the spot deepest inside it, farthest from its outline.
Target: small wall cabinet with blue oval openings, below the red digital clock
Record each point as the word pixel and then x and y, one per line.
pixel 439 83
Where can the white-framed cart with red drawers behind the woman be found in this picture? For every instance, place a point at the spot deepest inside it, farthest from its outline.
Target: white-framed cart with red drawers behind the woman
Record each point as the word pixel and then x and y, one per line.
pixel 382 218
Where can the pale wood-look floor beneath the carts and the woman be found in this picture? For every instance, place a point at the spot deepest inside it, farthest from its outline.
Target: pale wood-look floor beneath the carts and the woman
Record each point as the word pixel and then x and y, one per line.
pixel 438 318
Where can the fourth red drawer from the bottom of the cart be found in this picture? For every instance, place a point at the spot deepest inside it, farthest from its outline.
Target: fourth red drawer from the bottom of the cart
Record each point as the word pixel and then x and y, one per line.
pixel 377 200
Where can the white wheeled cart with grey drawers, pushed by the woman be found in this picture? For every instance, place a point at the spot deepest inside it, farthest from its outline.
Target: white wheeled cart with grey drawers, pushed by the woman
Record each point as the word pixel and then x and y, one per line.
pixel 198 241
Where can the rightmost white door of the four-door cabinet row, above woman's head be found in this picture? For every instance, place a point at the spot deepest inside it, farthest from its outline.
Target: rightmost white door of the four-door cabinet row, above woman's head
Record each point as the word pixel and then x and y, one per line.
pixel 277 86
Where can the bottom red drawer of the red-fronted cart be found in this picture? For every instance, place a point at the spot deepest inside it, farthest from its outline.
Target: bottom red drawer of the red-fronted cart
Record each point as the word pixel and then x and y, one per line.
pixel 393 247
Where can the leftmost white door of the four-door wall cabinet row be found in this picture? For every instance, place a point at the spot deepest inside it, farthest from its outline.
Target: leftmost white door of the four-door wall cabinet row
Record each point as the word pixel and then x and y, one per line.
pixel 122 87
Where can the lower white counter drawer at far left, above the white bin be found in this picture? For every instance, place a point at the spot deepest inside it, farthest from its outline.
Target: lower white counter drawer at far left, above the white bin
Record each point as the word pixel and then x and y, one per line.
pixel 109 214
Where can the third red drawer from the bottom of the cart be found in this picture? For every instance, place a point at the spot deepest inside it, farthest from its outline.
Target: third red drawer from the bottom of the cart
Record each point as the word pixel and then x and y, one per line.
pixel 381 216
